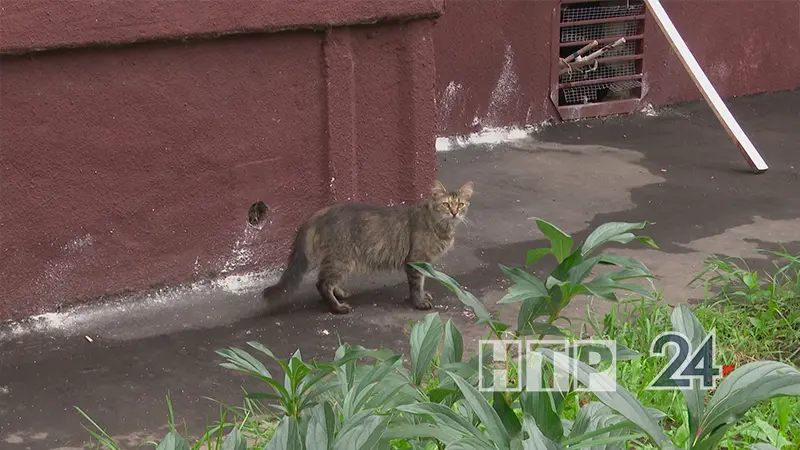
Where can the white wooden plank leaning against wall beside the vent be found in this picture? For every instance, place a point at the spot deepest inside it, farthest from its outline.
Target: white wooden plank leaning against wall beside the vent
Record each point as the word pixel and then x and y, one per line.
pixel 709 93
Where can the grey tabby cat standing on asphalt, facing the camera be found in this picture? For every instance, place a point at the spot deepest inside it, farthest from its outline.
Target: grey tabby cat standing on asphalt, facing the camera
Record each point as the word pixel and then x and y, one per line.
pixel 357 237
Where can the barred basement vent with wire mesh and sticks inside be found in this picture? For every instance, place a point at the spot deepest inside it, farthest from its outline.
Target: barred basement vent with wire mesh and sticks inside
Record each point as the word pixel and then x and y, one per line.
pixel 598 48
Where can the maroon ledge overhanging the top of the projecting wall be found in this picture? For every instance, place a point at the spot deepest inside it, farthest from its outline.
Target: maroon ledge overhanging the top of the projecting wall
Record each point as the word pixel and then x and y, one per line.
pixel 35 25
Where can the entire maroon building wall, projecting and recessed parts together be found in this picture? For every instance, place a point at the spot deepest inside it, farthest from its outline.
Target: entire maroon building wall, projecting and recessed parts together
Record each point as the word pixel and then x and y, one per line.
pixel 134 136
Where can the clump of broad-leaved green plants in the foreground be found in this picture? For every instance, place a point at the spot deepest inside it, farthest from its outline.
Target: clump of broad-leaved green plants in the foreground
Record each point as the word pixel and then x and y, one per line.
pixel 439 401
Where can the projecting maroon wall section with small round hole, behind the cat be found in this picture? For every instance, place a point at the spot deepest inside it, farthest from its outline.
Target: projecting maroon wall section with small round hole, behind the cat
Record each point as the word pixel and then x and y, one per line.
pixel 129 167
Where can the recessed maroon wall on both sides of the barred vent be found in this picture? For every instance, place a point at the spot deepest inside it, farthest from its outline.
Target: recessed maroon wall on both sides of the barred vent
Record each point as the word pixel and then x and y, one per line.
pixel 493 56
